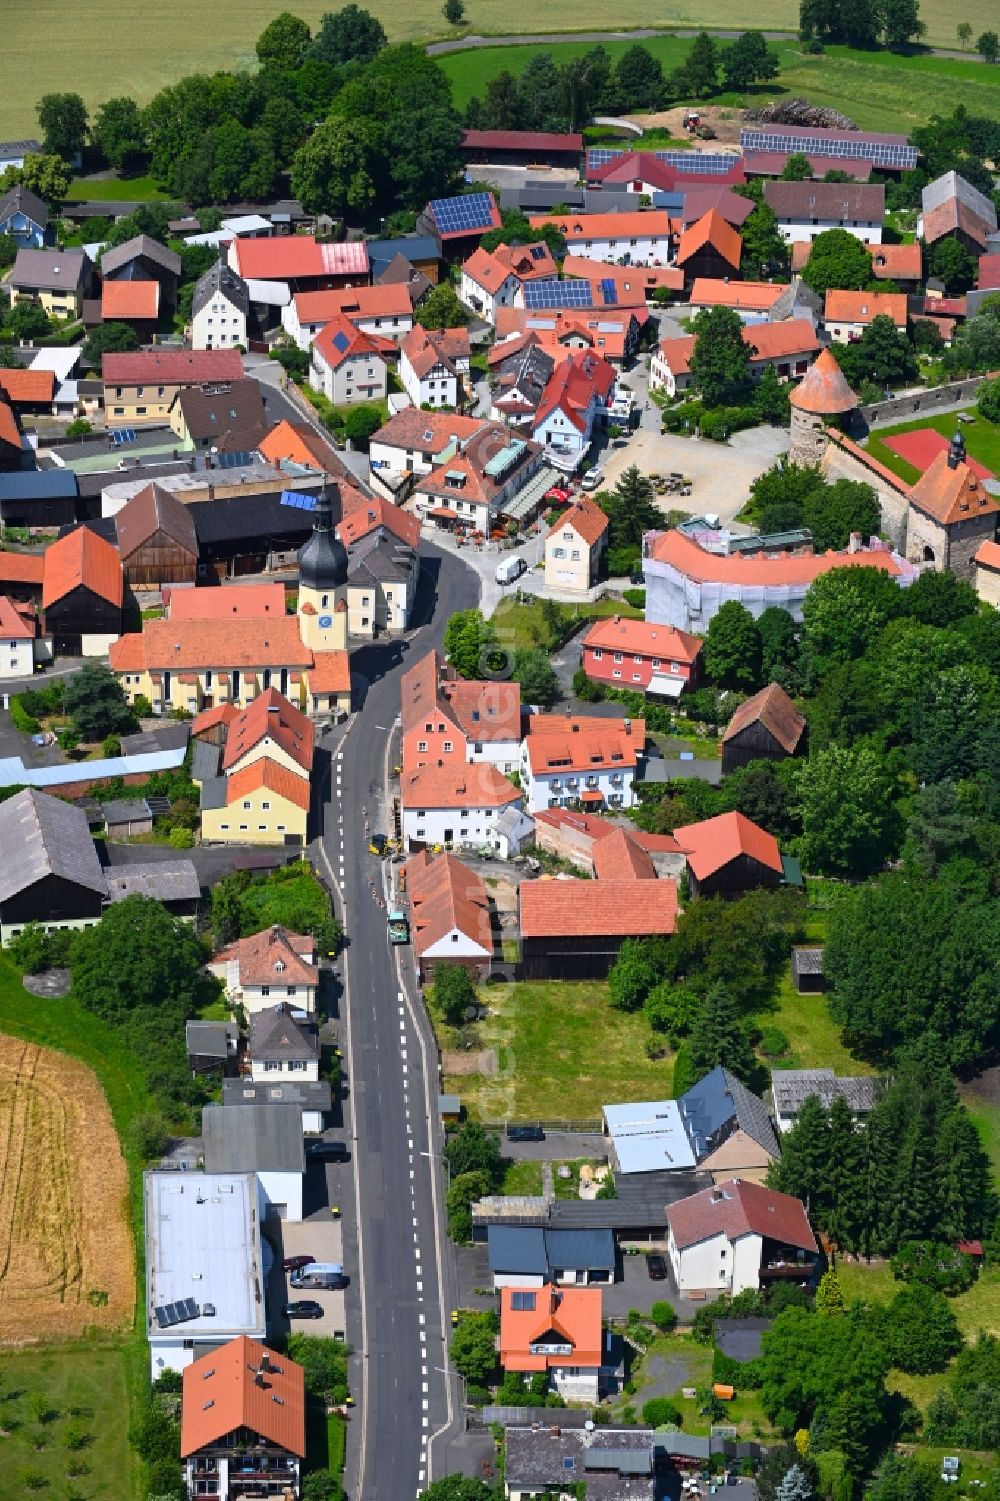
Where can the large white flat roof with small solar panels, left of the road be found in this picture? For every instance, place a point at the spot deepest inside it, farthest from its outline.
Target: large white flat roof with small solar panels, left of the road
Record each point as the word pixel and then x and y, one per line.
pixel 203 1244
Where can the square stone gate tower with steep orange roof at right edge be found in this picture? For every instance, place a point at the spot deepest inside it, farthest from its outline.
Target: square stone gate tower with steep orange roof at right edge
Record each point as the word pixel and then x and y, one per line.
pixel 951 514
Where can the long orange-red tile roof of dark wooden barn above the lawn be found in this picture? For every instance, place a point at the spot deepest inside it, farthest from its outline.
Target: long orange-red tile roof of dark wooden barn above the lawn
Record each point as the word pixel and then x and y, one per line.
pixel 571 909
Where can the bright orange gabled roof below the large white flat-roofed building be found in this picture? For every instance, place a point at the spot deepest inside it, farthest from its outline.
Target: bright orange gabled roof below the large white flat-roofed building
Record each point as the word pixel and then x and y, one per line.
pixel 221 1395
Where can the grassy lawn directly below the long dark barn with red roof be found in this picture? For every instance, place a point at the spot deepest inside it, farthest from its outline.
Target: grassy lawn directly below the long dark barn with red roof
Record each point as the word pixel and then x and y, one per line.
pixel 562 1053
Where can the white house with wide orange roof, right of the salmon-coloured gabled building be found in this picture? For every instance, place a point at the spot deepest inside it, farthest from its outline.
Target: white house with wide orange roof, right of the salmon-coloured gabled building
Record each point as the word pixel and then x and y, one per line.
pixel 568 760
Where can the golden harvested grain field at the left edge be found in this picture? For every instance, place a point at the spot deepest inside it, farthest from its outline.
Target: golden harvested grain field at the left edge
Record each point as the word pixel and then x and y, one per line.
pixel 65 1244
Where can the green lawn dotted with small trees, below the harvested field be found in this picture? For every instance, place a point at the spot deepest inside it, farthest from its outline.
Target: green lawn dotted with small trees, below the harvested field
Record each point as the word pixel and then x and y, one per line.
pixel 89 1379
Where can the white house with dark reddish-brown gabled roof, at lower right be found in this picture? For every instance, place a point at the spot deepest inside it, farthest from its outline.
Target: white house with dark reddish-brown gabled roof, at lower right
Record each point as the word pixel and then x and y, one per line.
pixel 726 1238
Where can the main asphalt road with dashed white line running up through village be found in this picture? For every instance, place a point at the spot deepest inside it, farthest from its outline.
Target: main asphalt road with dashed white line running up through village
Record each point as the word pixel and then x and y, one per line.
pixel 394 1233
